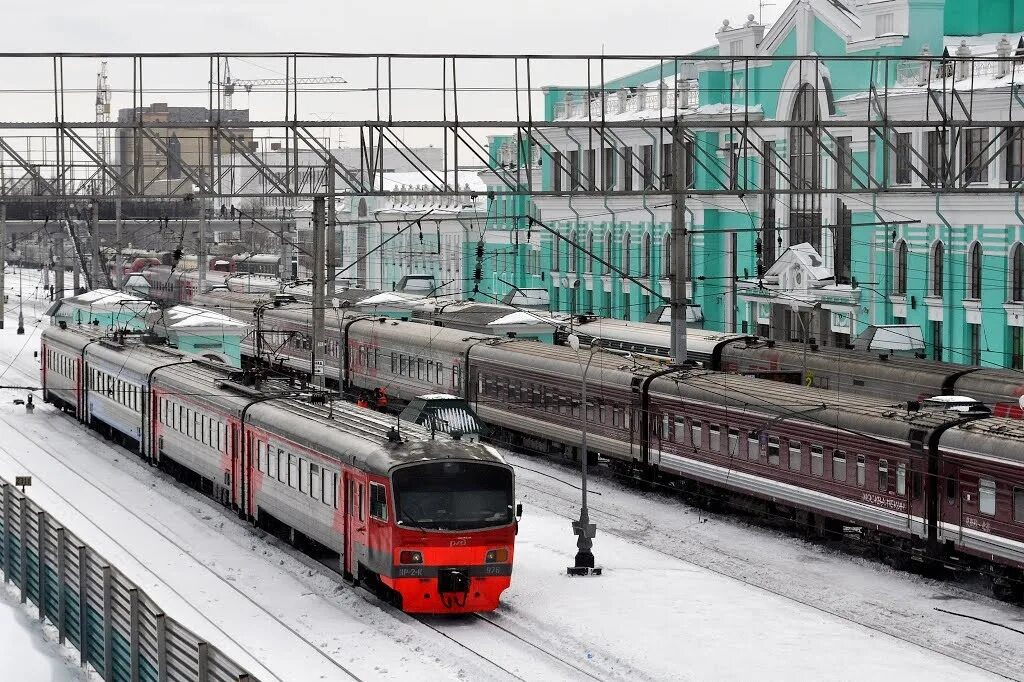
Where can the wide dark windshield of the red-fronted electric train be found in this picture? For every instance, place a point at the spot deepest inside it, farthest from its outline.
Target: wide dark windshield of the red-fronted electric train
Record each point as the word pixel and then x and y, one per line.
pixel 453 496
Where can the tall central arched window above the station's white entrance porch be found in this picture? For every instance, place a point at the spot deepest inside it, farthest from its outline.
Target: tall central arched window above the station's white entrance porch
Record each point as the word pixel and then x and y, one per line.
pixel 805 172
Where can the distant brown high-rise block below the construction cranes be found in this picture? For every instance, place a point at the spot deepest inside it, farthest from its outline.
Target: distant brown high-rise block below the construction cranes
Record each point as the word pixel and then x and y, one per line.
pixel 170 160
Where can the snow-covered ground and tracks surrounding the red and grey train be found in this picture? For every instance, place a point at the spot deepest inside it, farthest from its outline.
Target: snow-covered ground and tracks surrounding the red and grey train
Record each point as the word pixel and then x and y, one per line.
pixel 684 596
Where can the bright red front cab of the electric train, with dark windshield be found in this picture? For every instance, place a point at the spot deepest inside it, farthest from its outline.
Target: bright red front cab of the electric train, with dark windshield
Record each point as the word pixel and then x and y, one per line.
pixel 440 535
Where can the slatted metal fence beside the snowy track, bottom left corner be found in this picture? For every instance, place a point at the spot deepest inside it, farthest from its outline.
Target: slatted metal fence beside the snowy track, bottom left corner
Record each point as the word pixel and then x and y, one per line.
pixel 117 629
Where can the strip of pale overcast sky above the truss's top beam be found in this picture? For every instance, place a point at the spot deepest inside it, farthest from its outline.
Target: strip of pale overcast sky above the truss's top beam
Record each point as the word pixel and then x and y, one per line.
pixel 374 26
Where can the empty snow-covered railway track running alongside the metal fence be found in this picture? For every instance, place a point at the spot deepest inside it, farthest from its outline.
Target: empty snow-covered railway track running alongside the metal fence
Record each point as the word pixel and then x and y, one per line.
pixel 170 538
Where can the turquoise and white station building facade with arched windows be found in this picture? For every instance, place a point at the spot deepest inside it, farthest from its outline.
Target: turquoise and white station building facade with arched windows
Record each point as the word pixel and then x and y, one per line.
pixel 817 260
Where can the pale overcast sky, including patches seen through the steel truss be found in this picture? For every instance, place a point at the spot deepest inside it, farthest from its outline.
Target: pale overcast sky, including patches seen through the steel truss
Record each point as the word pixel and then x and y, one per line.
pixel 539 27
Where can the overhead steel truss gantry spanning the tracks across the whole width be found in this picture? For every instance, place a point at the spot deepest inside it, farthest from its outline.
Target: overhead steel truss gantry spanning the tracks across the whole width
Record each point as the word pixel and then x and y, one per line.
pixel 50 152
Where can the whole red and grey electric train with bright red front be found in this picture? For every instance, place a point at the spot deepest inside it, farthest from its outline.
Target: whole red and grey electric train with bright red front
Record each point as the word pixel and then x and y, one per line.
pixel 431 523
